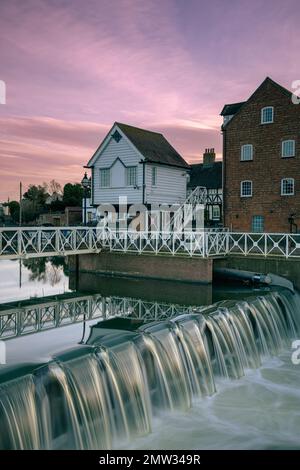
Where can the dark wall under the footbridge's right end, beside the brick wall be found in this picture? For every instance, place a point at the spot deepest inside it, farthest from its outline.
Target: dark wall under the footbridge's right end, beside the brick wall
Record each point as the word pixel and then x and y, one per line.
pixel 287 268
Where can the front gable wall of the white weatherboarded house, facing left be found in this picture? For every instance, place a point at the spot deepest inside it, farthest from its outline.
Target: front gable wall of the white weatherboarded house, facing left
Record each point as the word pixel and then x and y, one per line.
pixel 117 156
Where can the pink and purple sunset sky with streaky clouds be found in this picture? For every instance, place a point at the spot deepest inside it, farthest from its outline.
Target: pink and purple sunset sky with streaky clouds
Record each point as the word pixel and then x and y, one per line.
pixel 72 68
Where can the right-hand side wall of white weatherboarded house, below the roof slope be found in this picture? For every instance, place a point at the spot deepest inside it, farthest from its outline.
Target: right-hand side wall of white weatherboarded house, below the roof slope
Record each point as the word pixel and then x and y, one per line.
pixel 170 186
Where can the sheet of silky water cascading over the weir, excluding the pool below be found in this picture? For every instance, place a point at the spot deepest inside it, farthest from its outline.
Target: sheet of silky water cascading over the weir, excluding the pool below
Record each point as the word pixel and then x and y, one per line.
pixel 94 396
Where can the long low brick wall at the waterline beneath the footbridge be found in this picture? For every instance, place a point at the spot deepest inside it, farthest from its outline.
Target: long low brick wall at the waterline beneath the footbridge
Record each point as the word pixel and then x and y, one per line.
pixel 185 269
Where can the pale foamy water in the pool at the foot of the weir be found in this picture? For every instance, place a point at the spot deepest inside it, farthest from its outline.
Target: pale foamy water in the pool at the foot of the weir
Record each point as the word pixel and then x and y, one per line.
pixel 258 411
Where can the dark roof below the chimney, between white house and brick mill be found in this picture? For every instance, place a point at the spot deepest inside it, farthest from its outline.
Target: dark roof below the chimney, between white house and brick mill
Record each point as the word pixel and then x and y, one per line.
pixel 209 176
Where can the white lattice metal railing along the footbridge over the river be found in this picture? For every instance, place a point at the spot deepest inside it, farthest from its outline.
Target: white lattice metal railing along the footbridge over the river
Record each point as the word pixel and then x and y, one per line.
pixel 39 241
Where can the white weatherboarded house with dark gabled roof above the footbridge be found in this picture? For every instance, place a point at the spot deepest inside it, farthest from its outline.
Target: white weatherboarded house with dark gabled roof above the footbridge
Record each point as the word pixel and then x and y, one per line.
pixel 139 164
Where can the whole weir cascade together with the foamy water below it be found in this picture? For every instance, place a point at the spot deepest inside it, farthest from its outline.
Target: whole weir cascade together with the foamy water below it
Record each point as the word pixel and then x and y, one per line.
pixel 197 380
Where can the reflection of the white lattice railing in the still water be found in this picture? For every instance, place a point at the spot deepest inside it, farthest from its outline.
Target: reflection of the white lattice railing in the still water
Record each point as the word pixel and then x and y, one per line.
pixel 44 315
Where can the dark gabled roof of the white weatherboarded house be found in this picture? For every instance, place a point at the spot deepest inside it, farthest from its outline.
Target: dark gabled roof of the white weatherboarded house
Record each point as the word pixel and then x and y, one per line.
pixel 151 145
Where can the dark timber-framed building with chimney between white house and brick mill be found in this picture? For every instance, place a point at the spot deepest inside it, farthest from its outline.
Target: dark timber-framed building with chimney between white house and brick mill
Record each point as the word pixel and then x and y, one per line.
pixel 209 175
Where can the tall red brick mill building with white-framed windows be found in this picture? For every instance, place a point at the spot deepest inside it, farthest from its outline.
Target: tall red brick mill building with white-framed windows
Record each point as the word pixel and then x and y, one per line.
pixel 261 155
